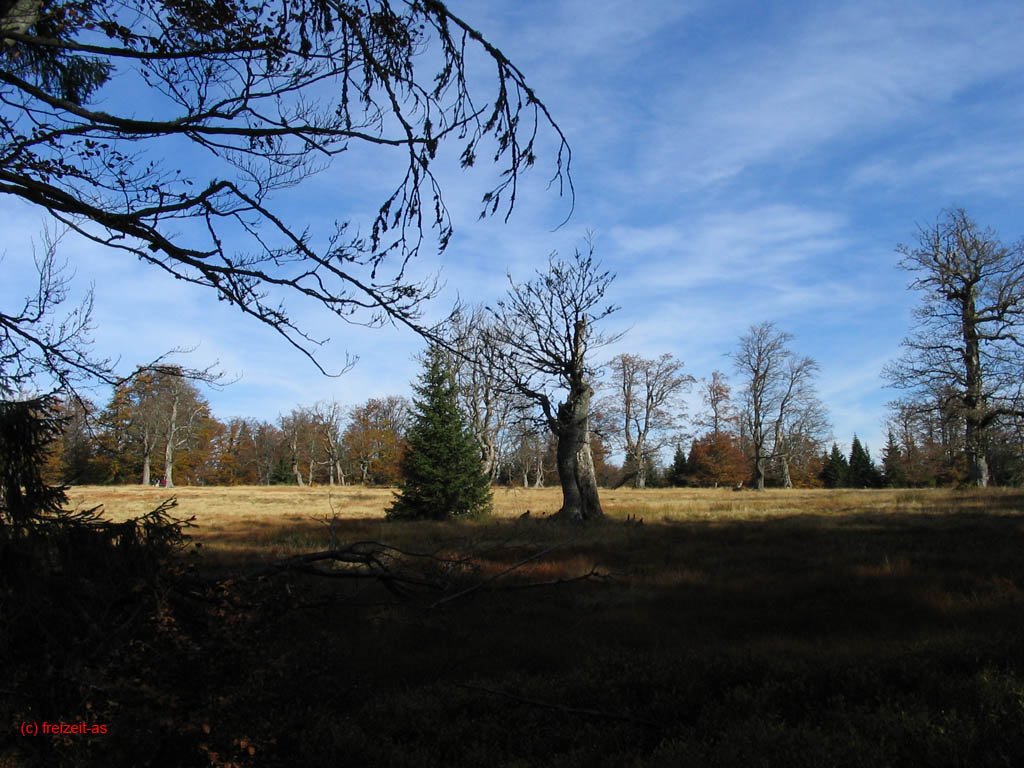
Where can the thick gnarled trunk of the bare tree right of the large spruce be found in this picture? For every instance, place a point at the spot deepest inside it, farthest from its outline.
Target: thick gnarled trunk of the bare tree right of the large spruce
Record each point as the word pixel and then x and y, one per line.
pixel 576 462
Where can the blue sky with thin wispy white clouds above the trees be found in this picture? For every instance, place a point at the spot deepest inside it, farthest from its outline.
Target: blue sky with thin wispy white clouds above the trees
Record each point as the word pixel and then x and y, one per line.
pixel 738 162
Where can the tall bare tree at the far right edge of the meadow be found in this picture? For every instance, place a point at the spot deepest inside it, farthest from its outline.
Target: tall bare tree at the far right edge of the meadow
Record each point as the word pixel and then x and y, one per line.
pixel 966 357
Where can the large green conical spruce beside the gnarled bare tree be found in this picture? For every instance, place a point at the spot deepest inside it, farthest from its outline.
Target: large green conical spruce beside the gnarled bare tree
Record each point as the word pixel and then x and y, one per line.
pixel 443 475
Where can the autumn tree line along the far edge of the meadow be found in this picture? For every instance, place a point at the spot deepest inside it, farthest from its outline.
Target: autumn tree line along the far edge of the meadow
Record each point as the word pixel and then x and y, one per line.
pixel 158 429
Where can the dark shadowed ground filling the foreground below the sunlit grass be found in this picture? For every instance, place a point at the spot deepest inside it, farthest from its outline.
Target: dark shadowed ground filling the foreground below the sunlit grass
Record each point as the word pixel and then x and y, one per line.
pixel 837 638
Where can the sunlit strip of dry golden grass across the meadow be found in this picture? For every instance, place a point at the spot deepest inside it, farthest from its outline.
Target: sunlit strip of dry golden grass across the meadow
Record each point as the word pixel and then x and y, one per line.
pixel 281 520
